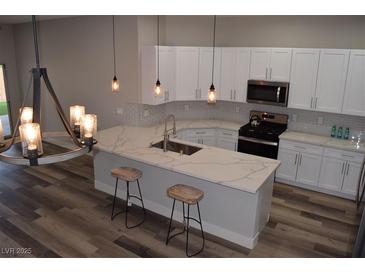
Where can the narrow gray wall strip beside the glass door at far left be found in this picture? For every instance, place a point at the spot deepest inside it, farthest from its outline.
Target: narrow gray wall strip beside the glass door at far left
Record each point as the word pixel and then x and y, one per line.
pixel 7 57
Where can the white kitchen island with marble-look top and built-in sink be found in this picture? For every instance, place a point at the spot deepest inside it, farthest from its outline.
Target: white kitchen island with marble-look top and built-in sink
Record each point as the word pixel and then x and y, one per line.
pixel 237 187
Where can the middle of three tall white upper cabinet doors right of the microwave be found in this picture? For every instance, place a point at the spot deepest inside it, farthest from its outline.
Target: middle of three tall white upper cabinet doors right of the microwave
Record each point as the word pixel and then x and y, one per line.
pixel 331 80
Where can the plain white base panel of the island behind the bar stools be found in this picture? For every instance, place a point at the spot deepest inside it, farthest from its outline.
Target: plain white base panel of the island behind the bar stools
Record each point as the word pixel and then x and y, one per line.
pixel 226 212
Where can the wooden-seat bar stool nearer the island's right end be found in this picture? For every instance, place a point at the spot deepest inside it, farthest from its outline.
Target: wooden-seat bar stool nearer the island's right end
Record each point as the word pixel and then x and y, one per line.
pixel 187 195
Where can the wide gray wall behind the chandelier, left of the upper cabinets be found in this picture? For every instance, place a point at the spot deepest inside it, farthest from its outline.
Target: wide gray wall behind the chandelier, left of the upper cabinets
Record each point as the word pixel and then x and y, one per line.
pixel 78 55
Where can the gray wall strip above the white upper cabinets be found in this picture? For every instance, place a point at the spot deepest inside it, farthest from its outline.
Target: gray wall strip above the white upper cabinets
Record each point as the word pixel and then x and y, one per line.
pixel 266 31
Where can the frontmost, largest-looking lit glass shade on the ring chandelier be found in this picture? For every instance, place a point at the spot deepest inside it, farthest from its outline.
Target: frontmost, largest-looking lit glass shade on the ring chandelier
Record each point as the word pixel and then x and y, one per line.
pixel 30 135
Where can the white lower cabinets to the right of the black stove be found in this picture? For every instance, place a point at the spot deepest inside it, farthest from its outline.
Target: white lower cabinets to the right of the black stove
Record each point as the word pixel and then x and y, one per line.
pixel 323 169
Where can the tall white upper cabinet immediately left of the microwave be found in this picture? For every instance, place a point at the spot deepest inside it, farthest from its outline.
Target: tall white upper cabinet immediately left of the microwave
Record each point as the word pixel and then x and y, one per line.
pixel 235 66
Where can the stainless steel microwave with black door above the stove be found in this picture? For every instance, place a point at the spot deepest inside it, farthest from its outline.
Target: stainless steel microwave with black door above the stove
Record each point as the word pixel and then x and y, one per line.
pixel 269 93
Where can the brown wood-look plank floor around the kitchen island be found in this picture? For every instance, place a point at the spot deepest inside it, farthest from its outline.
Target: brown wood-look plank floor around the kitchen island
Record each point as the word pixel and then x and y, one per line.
pixel 55 211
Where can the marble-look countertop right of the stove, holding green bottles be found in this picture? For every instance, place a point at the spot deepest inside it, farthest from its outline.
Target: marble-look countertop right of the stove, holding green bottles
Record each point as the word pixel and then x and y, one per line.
pixel 313 139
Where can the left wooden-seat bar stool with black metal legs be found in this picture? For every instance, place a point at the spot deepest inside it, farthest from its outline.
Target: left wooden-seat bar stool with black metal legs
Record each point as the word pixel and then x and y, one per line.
pixel 128 175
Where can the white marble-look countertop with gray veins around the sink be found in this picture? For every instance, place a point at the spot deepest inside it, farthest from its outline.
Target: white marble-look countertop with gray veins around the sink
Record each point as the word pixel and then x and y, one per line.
pixel 232 169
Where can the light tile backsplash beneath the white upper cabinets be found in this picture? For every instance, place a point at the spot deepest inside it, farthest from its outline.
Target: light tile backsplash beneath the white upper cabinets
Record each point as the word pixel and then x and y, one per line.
pixel 305 121
